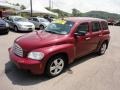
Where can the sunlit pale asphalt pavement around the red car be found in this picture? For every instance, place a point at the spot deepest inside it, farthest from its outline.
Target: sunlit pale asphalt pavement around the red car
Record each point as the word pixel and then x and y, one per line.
pixel 88 73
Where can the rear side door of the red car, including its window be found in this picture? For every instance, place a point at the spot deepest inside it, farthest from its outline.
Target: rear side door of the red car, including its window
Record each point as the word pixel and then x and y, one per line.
pixel 96 34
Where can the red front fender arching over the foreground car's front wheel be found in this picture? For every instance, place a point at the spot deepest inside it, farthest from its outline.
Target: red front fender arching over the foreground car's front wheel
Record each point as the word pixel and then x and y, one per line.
pixel 69 49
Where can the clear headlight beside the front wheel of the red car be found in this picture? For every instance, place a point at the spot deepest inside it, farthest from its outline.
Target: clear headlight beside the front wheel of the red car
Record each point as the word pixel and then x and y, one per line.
pixel 36 55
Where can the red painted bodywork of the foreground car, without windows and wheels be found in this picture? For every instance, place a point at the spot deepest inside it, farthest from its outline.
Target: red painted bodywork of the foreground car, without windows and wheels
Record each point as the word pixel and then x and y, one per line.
pixel 52 44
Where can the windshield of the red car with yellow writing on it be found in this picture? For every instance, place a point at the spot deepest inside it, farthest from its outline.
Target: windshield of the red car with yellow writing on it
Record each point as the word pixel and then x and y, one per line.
pixel 60 28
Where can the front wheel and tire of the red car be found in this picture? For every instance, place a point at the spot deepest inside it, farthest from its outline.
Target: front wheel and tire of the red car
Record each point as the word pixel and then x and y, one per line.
pixel 55 66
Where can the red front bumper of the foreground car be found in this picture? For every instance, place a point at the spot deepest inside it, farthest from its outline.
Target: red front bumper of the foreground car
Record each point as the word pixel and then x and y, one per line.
pixel 36 67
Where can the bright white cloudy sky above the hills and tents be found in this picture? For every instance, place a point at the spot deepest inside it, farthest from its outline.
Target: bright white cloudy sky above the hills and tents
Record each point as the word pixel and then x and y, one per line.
pixel 112 6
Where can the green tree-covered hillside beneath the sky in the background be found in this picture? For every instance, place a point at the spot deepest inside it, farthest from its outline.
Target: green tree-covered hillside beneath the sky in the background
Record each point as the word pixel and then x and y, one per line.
pixel 96 14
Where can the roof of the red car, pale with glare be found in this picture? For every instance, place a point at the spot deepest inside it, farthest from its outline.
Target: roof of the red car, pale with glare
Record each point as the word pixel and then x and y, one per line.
pixel 84 19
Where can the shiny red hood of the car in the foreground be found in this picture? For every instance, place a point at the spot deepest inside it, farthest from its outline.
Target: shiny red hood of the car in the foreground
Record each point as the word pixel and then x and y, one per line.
pixel 39 39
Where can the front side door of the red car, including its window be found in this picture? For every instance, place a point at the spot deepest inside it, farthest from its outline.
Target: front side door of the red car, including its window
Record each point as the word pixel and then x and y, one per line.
pixel 83 42
